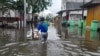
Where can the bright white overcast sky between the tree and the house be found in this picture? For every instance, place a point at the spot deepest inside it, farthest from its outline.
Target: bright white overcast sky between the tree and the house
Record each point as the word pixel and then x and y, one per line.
pixel 56 6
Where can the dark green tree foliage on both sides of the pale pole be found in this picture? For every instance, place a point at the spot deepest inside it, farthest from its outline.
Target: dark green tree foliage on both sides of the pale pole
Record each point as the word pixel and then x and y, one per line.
pixel 36 5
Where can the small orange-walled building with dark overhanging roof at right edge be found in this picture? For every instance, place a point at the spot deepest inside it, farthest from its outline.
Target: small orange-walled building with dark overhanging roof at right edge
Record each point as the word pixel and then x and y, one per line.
pixel 93 12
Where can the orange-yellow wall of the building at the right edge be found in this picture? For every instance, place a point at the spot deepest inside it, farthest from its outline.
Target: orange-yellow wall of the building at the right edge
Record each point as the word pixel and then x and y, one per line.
pixel 93 14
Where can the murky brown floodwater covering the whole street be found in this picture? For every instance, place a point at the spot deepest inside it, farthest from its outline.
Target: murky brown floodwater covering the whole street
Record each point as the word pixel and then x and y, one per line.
pixel 73 42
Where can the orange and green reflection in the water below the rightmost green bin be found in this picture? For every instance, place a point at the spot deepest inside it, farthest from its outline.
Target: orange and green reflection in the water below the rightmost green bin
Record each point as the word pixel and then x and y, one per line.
pixel 91 41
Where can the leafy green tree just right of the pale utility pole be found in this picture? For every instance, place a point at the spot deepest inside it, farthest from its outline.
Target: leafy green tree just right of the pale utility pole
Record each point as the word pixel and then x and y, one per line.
pixel 38 5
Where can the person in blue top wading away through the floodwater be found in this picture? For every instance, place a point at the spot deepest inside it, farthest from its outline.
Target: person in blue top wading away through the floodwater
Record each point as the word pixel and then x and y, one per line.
pixel 43 27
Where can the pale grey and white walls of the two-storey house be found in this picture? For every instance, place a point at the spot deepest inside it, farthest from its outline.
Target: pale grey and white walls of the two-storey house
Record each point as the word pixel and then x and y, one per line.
pixel 72 4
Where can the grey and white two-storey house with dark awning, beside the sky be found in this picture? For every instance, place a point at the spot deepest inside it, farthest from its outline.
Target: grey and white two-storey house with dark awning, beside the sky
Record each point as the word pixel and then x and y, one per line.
pixel 70 9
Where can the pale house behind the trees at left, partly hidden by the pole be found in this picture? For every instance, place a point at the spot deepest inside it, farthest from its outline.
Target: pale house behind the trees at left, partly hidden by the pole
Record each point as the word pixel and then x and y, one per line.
pixel 14 14
